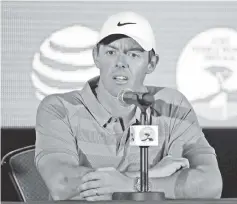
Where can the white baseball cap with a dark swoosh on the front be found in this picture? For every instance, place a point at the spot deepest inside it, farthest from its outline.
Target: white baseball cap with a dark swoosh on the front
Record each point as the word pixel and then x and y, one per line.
pixel 132 25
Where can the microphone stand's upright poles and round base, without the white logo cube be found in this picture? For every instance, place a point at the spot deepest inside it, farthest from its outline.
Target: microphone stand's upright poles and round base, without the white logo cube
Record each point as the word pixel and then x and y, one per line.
pixel 144 194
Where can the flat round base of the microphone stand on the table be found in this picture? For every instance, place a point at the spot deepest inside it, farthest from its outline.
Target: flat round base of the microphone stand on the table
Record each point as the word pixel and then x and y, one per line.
pixel 139 196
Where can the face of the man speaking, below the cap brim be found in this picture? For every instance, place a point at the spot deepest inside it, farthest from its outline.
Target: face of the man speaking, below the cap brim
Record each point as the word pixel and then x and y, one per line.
pixel 123 64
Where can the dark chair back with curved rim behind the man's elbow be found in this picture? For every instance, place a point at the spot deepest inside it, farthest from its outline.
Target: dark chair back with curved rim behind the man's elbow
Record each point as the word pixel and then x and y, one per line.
pixel 24 175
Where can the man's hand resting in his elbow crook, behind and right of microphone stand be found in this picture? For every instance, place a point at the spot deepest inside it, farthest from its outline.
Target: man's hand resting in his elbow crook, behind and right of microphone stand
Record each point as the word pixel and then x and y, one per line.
pixel 166 167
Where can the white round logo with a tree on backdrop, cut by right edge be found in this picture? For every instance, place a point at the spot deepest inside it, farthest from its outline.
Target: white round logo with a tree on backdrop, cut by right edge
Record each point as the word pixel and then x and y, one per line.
pixel 207 73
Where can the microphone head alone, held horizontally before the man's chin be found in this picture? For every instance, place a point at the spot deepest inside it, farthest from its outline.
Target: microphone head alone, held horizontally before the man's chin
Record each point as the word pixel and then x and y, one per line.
pixel 129 97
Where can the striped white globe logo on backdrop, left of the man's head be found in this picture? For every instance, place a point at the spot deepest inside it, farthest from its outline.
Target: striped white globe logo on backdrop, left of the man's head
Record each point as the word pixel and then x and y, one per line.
pixel 64 62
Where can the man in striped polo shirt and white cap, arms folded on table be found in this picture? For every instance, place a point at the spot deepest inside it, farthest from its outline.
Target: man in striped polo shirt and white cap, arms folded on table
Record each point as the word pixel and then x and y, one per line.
pixel 82 137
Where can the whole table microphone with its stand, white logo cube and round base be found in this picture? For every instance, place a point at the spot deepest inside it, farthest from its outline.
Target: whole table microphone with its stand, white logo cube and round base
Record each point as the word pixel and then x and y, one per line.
pixel 141 135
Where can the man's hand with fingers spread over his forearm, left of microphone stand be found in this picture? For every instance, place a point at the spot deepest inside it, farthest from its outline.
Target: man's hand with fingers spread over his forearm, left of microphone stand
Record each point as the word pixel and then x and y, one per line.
pixel 101 184
